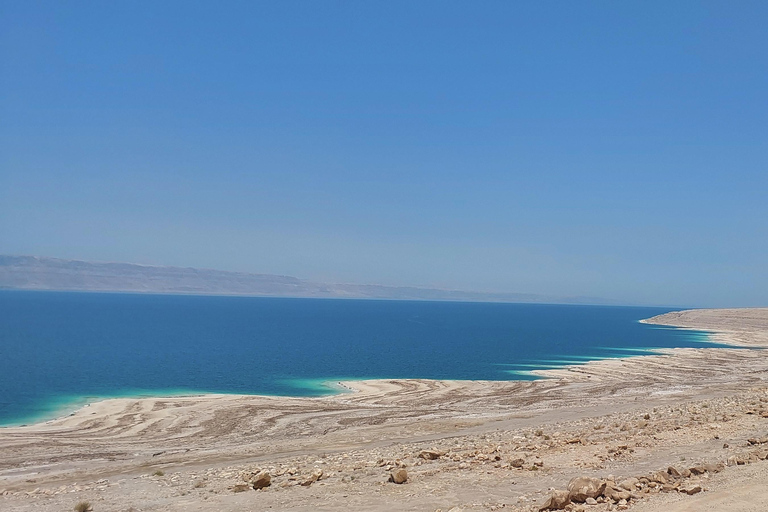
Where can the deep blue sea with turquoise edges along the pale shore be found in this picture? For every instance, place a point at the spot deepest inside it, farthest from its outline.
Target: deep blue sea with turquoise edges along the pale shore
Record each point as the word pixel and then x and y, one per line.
pixel 60 349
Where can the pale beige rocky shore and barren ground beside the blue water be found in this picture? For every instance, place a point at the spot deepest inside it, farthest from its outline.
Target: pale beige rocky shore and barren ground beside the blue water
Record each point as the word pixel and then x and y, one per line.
pixel 683 430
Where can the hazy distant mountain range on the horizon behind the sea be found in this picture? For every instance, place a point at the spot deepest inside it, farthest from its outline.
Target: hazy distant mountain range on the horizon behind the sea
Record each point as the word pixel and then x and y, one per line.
pixel 40 273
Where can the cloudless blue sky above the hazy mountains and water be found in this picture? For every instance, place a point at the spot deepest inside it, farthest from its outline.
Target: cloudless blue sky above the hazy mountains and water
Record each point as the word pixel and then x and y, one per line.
pixel 609 149
